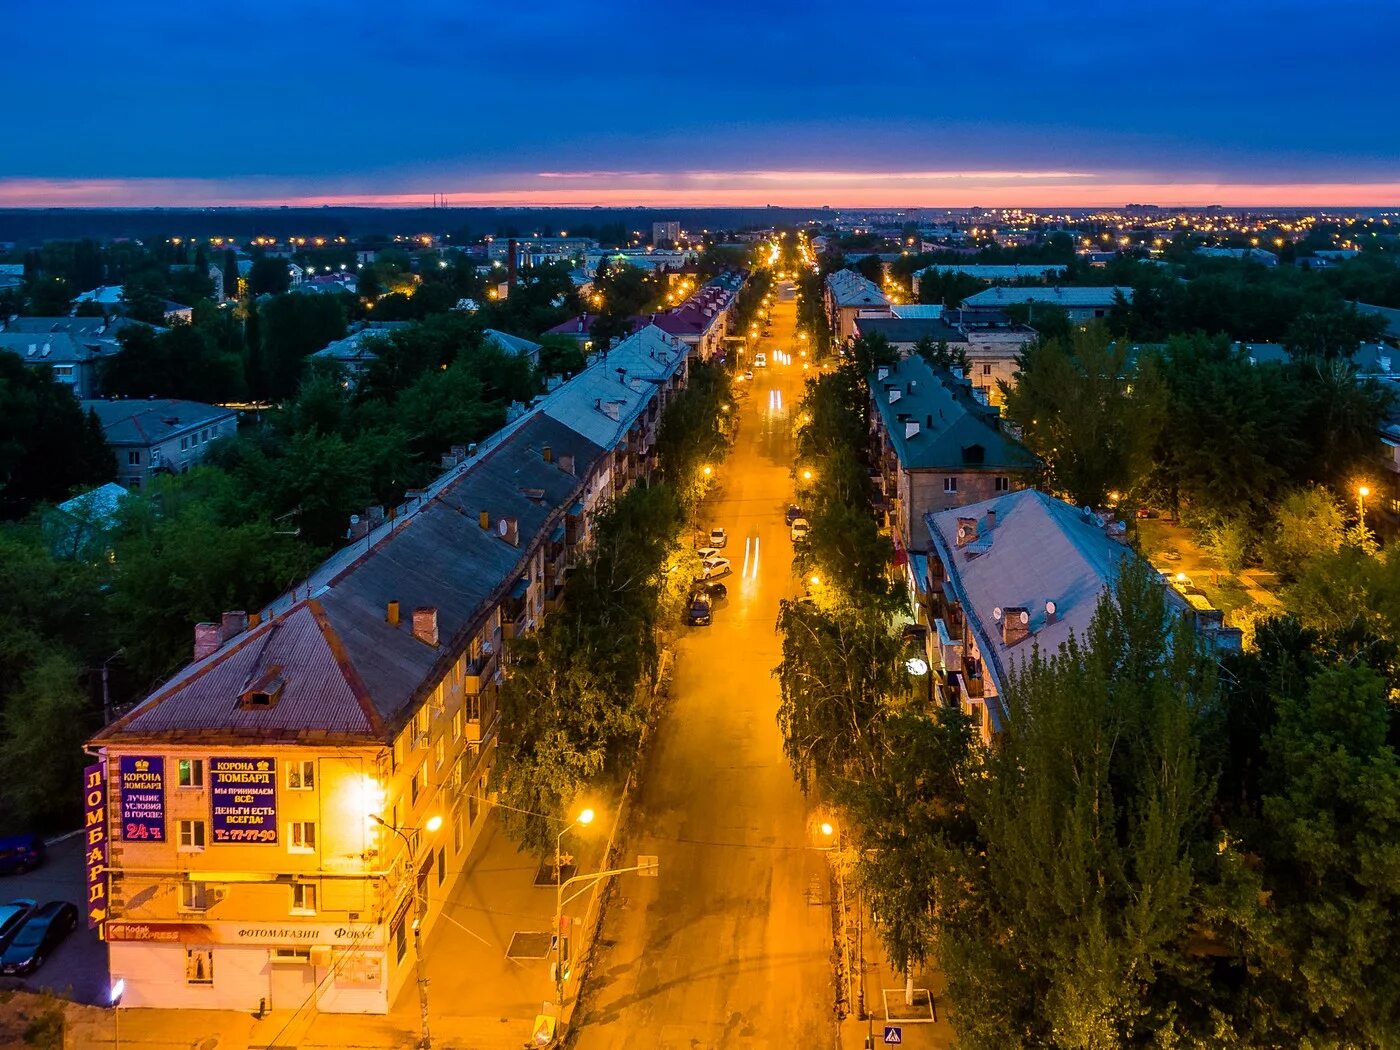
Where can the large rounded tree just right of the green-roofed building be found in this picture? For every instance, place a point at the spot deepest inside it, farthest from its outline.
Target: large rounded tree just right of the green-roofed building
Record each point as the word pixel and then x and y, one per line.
pixel 1088 414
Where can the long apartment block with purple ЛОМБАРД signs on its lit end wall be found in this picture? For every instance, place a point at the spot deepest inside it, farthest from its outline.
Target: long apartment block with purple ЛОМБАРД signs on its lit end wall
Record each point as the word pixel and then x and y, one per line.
pixel 260 825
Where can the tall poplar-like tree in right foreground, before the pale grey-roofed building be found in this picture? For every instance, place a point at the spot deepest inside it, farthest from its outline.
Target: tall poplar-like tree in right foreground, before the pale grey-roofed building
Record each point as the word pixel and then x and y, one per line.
pixel 1067 922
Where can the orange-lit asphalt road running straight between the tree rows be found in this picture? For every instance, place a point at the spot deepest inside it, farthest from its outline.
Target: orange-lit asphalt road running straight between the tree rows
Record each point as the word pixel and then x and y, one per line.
pixel 731 946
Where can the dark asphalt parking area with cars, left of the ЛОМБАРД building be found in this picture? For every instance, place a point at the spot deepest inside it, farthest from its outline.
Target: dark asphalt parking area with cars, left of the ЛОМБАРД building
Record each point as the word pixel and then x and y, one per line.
pixel 78 969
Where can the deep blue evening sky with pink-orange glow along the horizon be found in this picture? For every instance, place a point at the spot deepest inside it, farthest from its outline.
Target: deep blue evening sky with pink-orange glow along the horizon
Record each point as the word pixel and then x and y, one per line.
pixel 997 103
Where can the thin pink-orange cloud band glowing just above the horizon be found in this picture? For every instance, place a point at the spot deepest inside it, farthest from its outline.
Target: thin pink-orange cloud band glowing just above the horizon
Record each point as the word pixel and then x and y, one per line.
pixel 717 190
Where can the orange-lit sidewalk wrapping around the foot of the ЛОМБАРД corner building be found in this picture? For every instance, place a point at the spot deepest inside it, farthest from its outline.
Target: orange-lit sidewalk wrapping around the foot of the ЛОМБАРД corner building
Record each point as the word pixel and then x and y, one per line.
pixel 478 997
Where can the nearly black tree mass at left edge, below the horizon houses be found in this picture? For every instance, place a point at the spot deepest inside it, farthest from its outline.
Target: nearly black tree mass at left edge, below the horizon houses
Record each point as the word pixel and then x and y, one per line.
pixel 48 444
